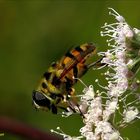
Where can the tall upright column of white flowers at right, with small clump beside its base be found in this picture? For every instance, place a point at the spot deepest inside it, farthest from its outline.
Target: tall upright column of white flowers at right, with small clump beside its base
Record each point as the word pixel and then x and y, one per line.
pixel 120 34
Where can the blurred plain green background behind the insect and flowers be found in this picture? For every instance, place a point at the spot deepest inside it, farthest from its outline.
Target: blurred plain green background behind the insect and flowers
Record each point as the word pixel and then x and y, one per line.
pixel 33 34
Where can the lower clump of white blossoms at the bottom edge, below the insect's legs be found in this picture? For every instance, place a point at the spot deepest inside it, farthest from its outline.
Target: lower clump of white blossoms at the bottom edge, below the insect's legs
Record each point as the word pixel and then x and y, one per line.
pixel 96 127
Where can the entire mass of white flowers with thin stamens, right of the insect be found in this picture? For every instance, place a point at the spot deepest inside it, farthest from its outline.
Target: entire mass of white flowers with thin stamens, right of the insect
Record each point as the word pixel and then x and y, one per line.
pixel 96 114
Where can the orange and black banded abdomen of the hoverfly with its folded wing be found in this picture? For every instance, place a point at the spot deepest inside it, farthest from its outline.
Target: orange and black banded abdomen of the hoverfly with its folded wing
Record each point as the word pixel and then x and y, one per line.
pixel 76 56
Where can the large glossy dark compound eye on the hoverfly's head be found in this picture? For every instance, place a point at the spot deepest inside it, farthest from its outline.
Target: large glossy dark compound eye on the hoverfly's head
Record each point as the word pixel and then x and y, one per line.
pixel 40 99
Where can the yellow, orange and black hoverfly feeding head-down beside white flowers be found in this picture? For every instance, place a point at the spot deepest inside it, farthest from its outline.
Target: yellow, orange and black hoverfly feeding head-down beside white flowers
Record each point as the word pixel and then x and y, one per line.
pixel 57 83
